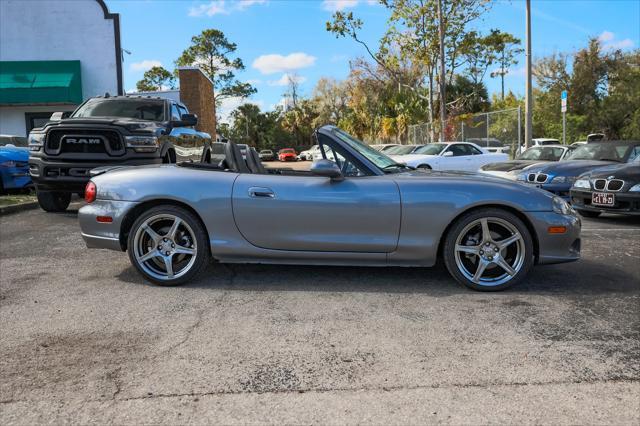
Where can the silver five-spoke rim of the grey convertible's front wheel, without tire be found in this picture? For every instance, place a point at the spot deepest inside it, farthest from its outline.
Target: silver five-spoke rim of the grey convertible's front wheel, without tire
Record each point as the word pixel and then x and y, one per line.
pixel 490 251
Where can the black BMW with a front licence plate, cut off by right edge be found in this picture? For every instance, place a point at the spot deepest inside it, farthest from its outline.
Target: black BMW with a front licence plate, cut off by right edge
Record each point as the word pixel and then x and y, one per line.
pixel 612 189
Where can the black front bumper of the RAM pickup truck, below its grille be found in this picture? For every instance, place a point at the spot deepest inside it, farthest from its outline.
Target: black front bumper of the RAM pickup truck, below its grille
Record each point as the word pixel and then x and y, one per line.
pixel 51 174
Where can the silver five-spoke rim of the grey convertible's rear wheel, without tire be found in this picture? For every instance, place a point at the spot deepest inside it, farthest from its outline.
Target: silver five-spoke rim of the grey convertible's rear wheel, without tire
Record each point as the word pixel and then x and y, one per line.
pixel 165 247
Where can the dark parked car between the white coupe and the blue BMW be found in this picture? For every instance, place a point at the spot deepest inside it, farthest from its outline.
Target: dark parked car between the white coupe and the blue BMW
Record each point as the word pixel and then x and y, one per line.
pixel 535 155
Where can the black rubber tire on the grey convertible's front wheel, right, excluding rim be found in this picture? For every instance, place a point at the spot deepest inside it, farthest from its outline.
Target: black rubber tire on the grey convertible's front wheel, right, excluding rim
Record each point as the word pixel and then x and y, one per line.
pixel 463 222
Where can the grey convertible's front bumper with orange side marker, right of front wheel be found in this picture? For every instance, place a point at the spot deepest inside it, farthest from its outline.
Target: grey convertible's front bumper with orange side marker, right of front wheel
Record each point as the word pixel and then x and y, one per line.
pixel 556 248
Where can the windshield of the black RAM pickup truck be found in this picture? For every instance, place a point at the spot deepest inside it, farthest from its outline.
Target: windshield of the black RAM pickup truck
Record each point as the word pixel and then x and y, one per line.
pixel 140 109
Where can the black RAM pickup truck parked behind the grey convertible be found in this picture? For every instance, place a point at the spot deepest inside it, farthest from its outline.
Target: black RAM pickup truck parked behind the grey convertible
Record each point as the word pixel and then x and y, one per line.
pixel 107 131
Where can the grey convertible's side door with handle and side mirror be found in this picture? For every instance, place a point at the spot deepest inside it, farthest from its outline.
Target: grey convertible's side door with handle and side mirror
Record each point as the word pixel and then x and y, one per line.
pixel 303 212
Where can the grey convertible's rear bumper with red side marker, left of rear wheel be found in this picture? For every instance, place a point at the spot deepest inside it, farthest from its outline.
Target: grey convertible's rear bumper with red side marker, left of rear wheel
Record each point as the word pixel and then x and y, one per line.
pixel 104 235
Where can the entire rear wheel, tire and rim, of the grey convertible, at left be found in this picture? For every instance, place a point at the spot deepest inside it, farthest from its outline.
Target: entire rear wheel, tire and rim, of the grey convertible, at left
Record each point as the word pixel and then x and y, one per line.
pixel 168 245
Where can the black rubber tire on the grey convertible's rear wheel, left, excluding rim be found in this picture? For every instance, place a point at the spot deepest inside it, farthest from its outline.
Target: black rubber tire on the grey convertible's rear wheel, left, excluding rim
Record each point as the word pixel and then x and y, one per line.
pixel 201 239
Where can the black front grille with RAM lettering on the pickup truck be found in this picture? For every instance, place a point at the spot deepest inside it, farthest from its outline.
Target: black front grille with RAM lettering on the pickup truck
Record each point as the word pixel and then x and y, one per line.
pixel 84 141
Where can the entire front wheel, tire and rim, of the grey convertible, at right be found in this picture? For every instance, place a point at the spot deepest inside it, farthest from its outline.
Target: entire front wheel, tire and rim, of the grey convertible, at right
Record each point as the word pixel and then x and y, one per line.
pixel 488 250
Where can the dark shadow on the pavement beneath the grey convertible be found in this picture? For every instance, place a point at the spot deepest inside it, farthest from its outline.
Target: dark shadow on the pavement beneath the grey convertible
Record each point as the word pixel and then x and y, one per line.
pixel 582 277
